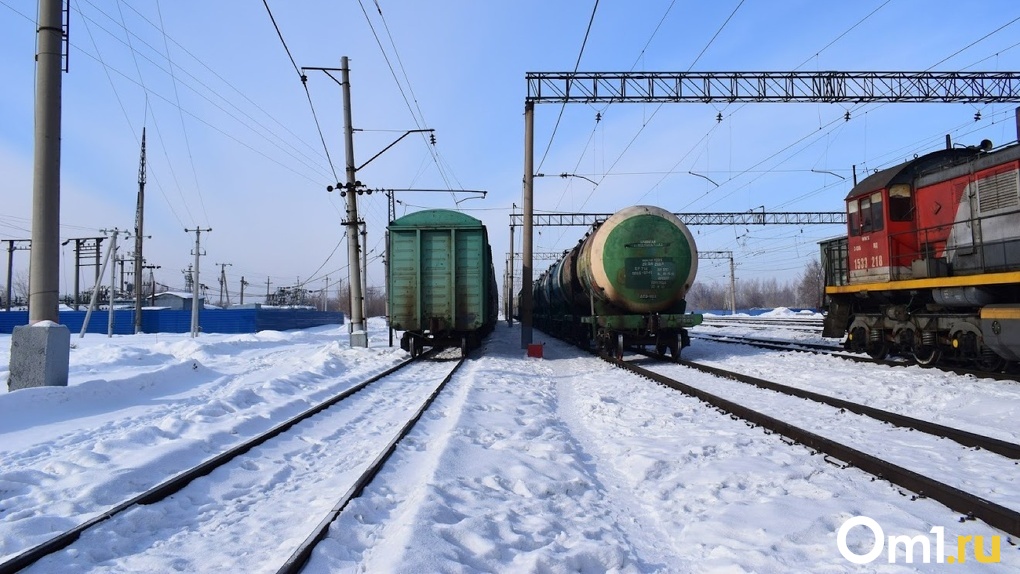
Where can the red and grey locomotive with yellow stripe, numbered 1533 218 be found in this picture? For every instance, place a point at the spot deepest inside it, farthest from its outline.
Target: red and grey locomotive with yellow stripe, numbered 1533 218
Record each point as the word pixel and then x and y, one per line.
pixel 931 268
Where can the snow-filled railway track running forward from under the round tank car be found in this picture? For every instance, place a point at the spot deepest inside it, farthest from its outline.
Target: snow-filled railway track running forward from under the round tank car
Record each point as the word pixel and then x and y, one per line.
pixel 873 444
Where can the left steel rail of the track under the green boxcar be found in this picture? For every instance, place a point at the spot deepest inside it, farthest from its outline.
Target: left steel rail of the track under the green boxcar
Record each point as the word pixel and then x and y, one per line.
pixel 181 481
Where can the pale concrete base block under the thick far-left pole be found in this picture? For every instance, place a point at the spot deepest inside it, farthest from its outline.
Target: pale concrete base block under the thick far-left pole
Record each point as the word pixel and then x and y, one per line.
pixel 39 356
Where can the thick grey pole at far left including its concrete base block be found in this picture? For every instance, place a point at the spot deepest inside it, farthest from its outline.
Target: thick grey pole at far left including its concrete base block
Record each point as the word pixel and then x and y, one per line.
pixel 49 341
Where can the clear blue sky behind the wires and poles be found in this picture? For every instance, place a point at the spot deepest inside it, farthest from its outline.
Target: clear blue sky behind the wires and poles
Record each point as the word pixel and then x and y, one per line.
pixel 233 144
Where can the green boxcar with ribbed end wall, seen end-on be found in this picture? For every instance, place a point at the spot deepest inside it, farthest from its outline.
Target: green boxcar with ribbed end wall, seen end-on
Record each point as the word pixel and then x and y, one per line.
pixel 442 285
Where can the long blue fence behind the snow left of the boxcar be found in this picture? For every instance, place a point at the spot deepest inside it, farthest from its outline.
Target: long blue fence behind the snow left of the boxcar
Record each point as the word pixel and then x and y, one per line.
pixel 168 321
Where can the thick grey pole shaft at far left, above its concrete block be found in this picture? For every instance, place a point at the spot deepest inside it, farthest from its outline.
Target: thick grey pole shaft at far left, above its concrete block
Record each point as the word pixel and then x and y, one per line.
pixel 44 268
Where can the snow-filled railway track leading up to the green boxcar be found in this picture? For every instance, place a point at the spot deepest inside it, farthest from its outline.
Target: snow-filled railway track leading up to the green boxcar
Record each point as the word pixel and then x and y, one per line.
pixel 355 431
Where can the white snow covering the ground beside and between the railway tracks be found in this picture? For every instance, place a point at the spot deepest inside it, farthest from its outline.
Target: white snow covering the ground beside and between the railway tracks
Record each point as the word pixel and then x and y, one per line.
pixel 560 464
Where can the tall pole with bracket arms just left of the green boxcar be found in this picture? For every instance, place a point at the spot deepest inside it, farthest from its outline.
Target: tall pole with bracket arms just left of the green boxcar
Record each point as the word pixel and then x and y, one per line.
pixel 359 336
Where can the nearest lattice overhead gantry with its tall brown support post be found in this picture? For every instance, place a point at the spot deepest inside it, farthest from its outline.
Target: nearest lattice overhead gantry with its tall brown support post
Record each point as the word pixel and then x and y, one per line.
pixel 821 87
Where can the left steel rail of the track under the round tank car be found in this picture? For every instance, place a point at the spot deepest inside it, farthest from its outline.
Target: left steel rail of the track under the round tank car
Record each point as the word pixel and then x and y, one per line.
pixel 970 505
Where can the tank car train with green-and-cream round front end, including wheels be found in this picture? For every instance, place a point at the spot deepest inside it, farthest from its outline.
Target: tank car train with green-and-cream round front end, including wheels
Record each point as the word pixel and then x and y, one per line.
pixel 624 285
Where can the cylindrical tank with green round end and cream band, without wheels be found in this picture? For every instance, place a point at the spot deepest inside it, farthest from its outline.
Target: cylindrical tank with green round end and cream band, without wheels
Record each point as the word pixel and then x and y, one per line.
pixel 642 259
